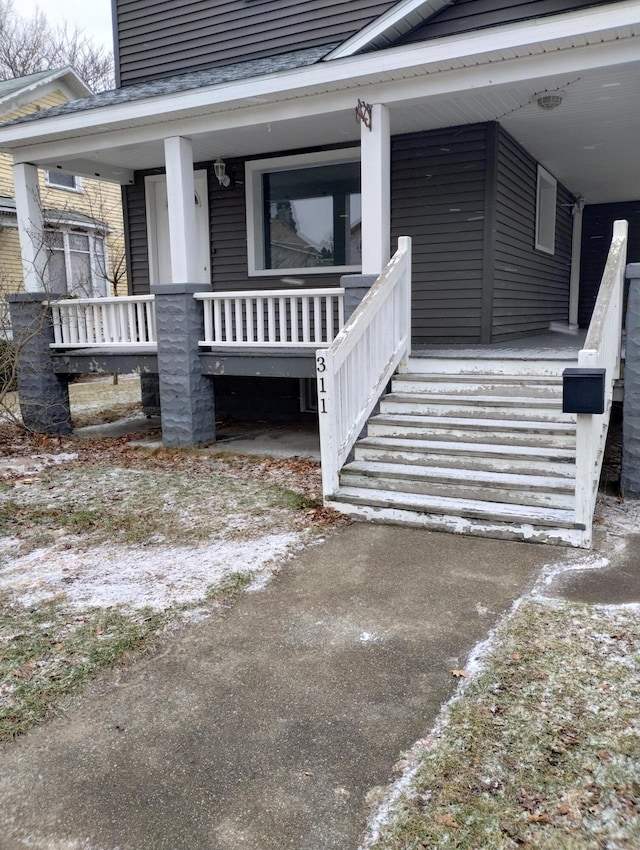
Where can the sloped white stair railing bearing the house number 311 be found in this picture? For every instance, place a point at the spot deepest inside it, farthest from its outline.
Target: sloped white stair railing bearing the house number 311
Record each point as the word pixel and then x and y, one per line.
pixel 353 372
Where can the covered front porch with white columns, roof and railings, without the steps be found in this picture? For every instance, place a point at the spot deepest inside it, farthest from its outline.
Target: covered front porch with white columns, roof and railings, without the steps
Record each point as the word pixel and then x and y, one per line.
pixel 483 151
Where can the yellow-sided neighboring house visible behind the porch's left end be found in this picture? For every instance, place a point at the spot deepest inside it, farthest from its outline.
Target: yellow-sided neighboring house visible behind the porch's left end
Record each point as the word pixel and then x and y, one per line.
pixel 84 237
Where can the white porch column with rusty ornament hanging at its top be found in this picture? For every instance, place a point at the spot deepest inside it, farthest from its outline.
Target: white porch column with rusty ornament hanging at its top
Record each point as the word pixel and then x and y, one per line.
pixel 376 190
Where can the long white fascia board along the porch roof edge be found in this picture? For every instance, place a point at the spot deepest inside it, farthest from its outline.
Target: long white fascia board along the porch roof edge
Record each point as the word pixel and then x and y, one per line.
pixel 336 75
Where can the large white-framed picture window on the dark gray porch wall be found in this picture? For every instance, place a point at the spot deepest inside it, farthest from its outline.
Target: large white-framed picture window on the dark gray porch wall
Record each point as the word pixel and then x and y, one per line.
pixel 304 213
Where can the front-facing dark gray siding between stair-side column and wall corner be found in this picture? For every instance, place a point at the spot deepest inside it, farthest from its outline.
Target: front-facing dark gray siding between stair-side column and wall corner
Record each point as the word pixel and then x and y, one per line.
pixel 437 198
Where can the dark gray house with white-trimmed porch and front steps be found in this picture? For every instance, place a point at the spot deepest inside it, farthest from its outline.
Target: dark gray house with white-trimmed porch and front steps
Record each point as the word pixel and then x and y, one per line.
pixel 273 155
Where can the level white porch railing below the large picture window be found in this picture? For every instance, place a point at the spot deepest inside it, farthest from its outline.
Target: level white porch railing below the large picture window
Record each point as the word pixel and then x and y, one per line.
pixel 277 317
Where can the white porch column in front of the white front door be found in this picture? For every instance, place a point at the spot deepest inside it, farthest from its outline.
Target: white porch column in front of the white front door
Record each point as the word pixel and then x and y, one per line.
pixel 178 155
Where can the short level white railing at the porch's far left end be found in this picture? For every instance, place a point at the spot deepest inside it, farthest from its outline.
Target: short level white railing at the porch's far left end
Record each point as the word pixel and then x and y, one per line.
pixel 92 322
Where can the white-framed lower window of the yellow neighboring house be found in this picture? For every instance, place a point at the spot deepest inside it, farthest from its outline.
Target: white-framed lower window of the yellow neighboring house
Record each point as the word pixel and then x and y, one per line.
pixel 77 263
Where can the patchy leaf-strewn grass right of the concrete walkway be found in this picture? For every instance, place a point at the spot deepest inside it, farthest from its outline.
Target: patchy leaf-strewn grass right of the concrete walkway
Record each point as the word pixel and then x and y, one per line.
pixel 542 750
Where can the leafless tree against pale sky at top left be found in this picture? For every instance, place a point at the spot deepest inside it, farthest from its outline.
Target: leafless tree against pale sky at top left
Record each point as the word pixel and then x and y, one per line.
pixel 28 45
